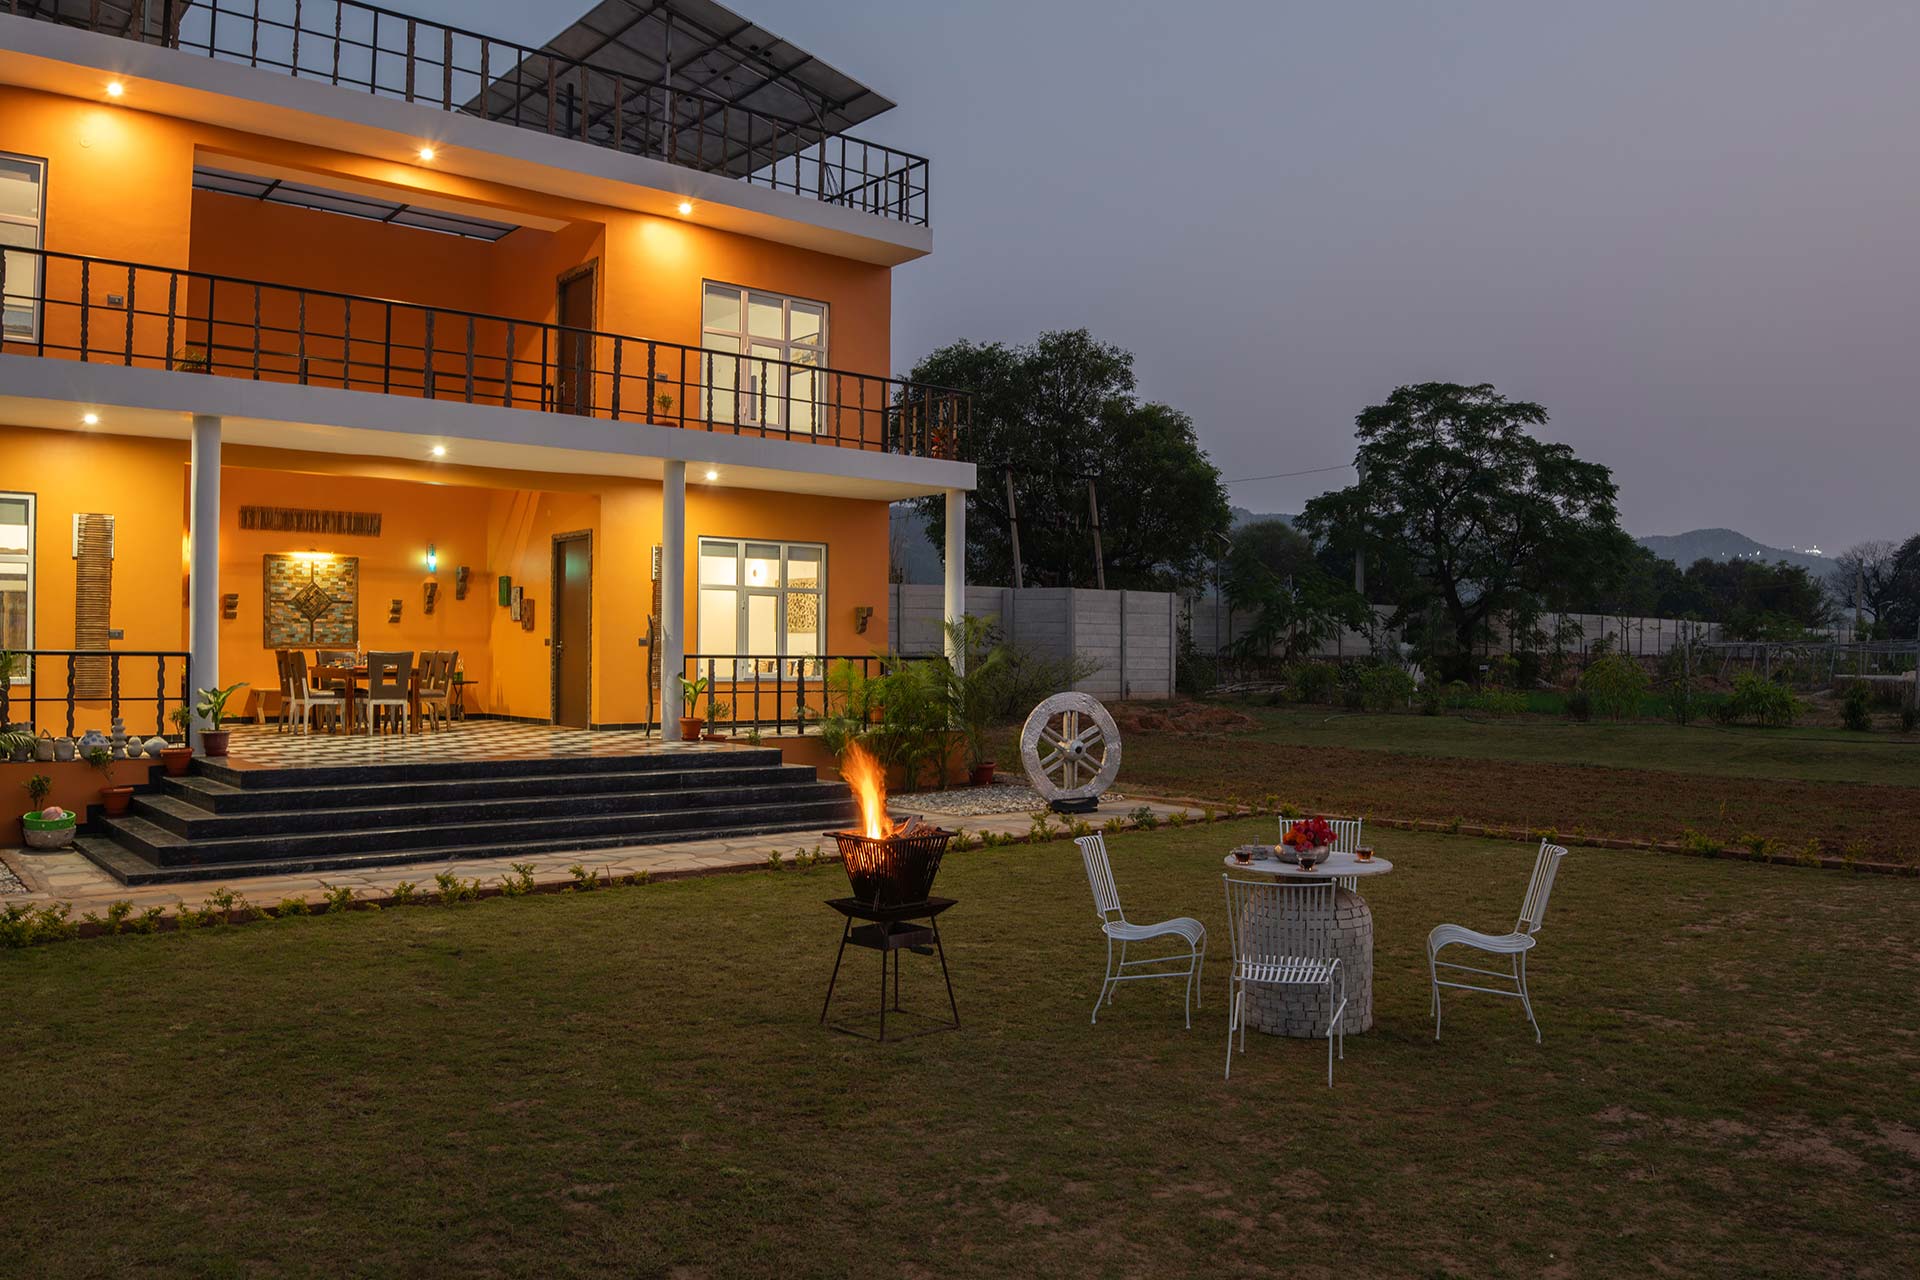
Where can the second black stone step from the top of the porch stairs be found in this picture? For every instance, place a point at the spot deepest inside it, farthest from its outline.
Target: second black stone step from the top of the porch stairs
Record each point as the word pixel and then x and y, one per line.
pixel 220 797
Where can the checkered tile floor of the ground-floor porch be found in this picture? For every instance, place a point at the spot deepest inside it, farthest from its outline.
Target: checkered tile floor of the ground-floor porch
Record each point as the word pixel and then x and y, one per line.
pixel 260 747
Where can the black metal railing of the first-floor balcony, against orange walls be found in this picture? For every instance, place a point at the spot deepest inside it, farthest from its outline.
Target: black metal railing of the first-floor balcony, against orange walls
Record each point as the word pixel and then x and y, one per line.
pixel 107 312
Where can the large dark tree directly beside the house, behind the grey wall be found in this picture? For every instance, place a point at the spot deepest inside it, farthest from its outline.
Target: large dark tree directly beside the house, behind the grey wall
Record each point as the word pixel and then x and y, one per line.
pixel 1053 415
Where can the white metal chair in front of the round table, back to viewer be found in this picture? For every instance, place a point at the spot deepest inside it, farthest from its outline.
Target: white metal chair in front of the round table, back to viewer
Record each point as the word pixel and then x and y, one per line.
pixel 1282 936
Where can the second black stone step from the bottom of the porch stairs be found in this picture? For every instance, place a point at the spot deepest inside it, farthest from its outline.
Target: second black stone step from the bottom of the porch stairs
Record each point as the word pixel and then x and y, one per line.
pixel 170 849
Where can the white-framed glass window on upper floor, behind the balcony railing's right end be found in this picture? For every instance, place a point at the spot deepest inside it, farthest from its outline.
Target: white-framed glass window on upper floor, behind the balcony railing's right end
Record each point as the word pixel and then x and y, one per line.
pixel 761 335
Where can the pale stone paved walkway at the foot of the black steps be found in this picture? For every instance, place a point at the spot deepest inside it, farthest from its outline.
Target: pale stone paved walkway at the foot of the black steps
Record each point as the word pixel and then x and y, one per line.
pixel 72 878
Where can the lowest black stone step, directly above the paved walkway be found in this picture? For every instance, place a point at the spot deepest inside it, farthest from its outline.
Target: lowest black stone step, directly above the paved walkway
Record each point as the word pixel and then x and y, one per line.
pixel 130 868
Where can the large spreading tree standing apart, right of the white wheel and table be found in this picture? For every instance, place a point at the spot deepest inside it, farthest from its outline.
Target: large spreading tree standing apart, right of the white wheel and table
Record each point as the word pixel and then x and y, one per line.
pixel 1462 510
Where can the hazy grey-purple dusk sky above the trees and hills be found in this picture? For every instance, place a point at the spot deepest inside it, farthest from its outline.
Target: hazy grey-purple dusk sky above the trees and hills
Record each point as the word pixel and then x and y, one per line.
pixel 1689 229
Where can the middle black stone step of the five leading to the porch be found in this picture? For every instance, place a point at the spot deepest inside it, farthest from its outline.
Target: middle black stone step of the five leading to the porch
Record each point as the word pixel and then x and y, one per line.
pixel 195 824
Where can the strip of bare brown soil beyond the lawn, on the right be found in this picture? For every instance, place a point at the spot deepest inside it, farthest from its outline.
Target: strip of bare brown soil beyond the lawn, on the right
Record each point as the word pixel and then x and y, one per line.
pixel 1765 817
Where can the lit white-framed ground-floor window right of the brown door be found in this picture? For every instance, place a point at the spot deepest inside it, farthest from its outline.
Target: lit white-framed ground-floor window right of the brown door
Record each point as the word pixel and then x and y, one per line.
pixel 763 604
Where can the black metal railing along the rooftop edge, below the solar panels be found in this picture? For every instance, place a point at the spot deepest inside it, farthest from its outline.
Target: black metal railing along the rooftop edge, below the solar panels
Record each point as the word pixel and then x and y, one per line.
pixel 416 60
